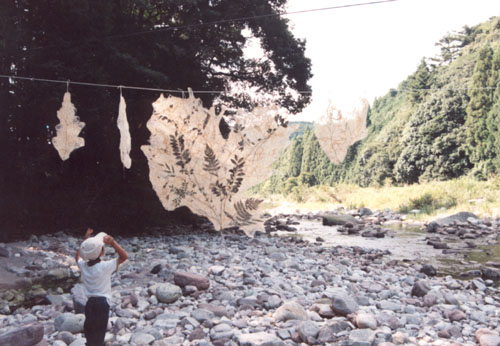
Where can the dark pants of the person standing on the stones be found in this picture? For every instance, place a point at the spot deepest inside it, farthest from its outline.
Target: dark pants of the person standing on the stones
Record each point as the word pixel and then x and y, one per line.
pixel 96 320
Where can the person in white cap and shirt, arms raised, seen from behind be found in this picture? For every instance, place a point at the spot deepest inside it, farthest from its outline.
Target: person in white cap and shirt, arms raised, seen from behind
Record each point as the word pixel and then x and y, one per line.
pixel 96 277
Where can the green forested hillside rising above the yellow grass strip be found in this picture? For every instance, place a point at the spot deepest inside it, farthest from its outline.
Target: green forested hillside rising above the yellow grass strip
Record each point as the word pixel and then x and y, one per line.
pixel 442 122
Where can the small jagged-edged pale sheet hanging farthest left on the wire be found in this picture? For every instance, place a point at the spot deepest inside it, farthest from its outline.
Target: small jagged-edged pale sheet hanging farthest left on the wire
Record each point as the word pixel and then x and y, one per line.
pixel 68 129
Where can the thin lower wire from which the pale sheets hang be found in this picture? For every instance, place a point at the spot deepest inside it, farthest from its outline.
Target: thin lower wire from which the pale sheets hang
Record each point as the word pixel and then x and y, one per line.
pixel 178 91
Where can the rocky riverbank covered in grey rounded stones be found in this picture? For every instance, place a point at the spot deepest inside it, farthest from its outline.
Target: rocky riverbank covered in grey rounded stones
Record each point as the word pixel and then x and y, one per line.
pixel 197 288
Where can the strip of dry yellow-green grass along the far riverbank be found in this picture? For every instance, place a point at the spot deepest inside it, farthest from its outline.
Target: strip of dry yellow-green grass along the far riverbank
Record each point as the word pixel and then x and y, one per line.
pixel 419 201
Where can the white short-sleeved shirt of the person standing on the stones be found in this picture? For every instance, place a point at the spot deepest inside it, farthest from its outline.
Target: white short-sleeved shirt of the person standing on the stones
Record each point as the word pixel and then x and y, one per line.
pixel 97 278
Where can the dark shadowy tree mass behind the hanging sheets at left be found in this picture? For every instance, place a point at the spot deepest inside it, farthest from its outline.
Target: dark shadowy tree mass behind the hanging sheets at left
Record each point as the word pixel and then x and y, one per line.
pixel 156 44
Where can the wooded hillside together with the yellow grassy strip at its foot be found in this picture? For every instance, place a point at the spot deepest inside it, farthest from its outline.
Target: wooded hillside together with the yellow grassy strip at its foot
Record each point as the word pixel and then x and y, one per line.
pixel 433 142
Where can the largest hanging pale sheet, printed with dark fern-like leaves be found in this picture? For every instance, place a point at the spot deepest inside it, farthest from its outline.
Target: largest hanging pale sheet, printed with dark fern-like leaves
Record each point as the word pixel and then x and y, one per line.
pixel 191 164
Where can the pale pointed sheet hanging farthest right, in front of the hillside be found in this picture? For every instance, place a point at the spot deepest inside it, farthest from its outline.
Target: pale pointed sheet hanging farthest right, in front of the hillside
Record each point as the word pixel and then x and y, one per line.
pixel 336 130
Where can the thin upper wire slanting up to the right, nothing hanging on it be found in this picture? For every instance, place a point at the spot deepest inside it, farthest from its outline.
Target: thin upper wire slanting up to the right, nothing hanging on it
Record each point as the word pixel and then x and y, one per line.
pixel 224 21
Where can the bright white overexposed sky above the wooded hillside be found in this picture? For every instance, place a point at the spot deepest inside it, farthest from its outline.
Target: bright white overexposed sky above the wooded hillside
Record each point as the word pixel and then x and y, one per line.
pixel 364 51
